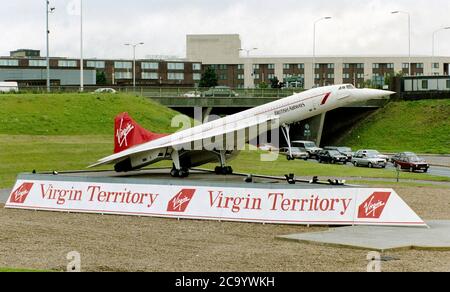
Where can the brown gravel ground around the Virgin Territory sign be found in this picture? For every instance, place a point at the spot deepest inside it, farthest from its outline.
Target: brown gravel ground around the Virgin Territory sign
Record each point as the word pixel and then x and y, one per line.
pixel 41 240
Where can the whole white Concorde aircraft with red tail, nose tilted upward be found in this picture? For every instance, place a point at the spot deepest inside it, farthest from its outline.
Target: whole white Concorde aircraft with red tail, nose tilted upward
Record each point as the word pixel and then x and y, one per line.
pixel 215 141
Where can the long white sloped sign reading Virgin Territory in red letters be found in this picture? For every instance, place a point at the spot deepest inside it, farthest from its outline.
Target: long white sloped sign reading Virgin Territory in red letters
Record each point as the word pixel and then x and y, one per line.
pixel 321 206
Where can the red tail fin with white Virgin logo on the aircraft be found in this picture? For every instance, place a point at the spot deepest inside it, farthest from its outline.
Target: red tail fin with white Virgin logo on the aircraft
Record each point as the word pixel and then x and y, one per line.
pixel 129 134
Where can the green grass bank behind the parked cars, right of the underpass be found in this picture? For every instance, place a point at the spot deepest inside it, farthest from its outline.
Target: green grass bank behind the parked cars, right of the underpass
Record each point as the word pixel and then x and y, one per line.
pixel 418 126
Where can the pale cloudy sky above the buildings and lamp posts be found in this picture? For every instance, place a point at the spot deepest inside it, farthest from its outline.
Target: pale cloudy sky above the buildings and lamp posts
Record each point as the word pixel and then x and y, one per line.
pixel 276 27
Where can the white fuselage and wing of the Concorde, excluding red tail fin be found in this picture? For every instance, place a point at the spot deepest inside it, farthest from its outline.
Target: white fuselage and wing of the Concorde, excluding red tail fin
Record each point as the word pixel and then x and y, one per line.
pixel 289 110
